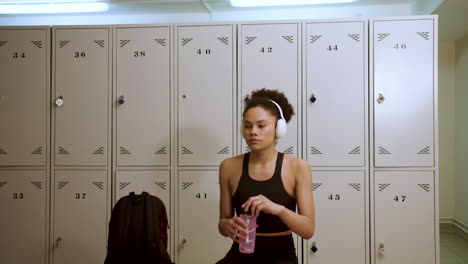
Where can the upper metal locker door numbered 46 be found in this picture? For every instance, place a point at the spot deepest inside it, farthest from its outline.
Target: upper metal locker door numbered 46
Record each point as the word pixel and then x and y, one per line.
pixel 403 61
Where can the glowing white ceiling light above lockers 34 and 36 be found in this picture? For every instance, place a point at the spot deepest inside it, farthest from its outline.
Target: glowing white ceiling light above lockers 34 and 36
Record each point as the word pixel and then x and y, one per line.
pixel 53 8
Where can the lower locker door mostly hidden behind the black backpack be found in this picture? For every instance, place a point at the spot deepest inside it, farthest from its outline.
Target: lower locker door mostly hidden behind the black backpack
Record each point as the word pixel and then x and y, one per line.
pixel 156 183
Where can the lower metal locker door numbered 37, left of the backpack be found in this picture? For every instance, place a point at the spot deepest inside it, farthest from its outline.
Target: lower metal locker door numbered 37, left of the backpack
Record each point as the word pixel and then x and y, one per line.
pixel 80 217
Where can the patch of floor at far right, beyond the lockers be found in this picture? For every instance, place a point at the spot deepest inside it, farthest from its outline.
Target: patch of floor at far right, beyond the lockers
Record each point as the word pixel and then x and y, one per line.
pixel 453 246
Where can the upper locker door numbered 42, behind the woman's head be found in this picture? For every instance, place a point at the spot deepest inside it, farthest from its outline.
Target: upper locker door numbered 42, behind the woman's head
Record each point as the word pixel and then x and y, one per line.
pixel 269 58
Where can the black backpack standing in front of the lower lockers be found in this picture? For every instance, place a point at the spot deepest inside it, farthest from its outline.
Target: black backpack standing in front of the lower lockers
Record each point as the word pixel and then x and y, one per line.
pixel 138 231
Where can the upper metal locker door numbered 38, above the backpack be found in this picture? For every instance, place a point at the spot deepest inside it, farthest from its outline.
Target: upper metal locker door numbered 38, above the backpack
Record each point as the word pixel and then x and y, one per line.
pixel 143 91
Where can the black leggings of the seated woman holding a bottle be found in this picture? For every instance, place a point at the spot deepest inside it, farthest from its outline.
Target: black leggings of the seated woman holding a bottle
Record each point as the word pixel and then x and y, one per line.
pixel 271 250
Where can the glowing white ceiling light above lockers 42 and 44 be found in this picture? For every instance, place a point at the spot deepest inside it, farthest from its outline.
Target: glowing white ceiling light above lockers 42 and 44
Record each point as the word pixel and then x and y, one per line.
pixel 251 3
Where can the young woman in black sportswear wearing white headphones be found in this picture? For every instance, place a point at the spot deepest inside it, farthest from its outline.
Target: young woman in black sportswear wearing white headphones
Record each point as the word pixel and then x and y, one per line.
pixel 268 184
